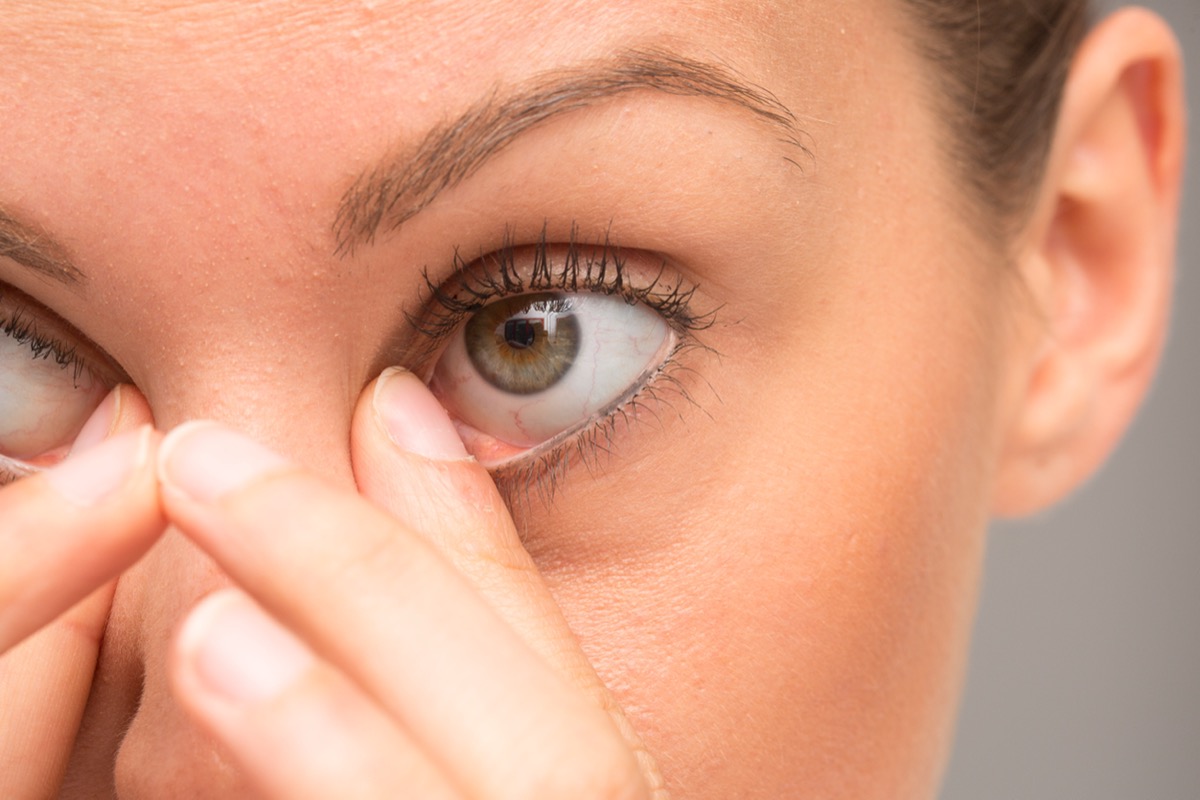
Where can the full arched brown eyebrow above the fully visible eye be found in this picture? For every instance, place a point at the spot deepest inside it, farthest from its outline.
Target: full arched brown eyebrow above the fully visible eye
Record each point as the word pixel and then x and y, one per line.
pixel 397 190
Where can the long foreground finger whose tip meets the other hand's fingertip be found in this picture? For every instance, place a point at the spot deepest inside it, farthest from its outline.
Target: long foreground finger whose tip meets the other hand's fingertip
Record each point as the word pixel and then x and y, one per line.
pixel 377 601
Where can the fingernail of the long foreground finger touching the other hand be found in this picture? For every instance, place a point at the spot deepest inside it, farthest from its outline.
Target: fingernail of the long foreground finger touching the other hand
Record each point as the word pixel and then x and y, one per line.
pixel 208 461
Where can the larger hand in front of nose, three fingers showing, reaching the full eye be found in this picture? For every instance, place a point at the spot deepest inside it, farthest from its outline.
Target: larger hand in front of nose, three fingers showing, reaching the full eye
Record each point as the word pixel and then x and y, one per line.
pixel 395 645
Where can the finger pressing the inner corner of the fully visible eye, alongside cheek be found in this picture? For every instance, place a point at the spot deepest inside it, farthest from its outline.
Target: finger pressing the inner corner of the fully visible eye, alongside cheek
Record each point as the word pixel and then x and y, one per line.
pixel 410 460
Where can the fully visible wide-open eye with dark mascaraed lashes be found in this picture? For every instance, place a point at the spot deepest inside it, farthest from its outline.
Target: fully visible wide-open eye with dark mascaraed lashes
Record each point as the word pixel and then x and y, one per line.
pixel 543 352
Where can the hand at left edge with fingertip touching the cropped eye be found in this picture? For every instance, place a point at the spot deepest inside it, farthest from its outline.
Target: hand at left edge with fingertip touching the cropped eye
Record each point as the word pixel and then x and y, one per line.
pixel 65 536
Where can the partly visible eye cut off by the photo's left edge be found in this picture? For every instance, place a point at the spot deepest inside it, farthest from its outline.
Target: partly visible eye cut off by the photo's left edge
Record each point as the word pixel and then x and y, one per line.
pixel 51 382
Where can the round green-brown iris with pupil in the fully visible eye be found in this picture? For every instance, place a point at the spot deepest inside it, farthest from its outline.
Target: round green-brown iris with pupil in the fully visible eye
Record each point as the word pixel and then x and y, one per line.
pixel 524 345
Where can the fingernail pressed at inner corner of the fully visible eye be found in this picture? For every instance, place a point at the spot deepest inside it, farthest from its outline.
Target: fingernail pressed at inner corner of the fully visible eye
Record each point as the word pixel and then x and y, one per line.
pixel 413 418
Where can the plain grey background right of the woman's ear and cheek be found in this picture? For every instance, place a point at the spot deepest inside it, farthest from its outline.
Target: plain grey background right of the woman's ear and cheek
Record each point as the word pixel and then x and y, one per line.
pixel 1085 675
